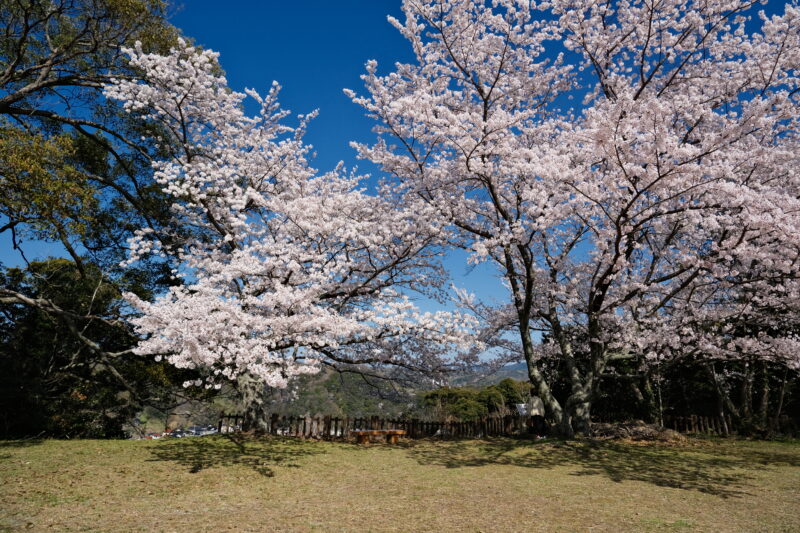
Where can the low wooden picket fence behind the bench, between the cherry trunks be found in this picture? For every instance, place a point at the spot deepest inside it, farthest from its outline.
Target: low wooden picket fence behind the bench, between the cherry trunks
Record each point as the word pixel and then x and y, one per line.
pixel 326 427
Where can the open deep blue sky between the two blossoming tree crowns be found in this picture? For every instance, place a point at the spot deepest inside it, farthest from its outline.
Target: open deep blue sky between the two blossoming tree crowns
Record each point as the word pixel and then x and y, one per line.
pixel 313 48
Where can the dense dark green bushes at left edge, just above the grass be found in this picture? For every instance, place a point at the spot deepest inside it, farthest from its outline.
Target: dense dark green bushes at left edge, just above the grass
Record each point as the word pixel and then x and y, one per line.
pixel 52 383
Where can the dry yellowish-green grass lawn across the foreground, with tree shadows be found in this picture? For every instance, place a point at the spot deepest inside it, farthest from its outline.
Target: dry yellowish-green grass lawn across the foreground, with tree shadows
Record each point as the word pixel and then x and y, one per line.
pixel 220 483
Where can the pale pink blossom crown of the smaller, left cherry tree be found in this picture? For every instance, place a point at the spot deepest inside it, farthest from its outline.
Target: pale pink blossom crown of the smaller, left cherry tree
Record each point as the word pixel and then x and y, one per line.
pixel 282 270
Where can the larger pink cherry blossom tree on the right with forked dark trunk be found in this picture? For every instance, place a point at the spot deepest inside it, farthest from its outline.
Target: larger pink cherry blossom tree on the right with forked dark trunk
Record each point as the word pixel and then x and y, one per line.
pixel 655 217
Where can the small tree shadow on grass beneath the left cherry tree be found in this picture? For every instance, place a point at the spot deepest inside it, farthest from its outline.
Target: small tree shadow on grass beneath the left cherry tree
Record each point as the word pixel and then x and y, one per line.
pixel 259 454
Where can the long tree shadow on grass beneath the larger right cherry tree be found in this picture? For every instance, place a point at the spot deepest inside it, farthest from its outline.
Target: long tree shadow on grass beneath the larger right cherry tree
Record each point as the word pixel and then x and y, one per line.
pixel 718 471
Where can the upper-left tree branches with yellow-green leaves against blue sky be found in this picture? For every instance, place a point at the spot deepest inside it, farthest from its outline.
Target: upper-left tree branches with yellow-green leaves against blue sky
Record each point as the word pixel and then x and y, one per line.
pixel 74 168
